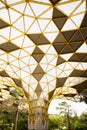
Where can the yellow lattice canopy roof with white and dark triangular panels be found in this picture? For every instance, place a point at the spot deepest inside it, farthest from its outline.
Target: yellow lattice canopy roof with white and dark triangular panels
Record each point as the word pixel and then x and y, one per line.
pixel 43 47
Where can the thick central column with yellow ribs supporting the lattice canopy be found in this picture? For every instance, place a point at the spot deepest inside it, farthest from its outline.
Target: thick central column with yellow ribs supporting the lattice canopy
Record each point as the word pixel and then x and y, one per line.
pixel 38 117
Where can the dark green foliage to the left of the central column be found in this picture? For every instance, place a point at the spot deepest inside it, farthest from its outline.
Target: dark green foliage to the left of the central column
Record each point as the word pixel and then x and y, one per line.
pixel 7 121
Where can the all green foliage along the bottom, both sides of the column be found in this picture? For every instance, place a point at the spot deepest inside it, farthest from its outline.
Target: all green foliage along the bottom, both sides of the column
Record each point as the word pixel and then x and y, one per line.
pixel 55 121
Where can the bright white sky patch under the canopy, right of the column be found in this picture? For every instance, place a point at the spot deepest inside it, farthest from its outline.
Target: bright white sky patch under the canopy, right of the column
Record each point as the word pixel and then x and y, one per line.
pixel 79 107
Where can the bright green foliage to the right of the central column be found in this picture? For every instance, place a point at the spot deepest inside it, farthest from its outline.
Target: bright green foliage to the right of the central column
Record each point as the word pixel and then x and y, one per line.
pixel 78 123
